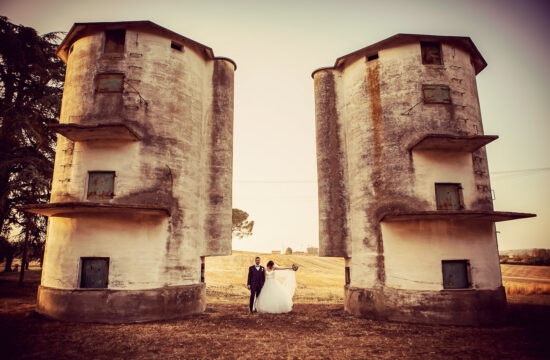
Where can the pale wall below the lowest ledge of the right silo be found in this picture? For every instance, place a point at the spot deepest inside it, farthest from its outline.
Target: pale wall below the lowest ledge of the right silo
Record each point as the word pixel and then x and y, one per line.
pixel 413 252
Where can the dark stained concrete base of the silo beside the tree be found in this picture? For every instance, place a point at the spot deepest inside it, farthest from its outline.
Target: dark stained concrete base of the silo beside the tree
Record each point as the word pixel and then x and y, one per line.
pixel 121 306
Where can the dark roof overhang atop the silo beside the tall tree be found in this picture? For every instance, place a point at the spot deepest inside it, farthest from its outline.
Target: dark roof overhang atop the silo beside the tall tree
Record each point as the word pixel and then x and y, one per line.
pixel 79 30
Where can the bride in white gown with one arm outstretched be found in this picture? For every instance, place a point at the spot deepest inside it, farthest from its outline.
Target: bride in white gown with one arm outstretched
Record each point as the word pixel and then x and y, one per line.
pixel 277 292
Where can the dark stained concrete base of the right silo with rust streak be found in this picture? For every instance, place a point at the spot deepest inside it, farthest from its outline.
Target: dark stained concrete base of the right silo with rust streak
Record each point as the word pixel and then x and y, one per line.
pixel 451 307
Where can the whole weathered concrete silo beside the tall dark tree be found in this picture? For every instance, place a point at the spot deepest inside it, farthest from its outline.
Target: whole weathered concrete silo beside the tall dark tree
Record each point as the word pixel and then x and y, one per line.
pixel 141 191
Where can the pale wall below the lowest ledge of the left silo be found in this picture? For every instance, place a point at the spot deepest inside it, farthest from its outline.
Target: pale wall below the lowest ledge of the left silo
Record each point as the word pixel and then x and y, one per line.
pixel 136 252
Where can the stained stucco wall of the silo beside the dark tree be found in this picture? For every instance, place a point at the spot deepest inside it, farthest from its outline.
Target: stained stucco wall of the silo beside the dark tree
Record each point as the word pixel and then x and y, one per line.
pixel 181 107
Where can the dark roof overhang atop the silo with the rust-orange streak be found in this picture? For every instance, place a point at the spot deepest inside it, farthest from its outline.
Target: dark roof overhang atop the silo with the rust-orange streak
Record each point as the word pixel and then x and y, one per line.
pixel 463 42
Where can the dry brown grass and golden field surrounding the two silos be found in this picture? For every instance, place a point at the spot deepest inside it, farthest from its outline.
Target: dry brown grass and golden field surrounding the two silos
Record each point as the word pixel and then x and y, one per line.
pixel 317 328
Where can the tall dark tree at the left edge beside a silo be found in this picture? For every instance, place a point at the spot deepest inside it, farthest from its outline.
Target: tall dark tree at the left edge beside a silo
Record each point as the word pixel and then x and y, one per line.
pixel 31 87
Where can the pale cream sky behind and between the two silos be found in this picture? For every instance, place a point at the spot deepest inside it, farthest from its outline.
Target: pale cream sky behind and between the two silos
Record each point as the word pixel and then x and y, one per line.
pixel 277 44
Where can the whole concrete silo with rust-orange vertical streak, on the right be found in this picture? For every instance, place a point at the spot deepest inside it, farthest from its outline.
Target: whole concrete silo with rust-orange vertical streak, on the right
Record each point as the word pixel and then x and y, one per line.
pixel 404 191
